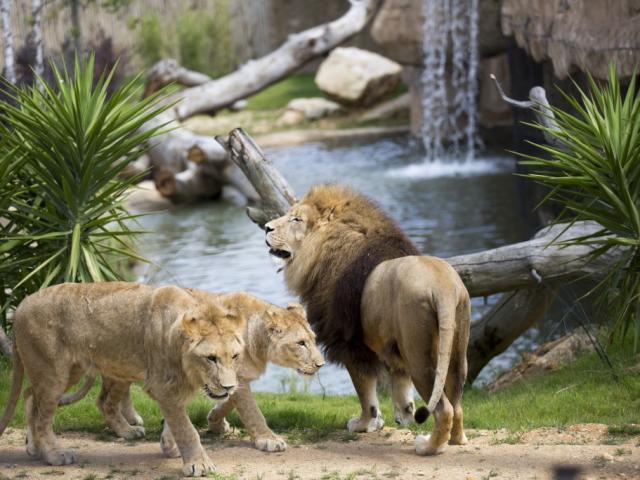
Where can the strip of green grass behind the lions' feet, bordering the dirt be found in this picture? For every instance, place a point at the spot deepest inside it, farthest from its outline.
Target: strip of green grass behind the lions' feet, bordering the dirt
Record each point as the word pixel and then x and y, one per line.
pixel 595 396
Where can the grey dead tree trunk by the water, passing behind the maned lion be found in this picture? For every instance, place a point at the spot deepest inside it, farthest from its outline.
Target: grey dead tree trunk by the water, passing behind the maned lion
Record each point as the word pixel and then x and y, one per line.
pixel 528 270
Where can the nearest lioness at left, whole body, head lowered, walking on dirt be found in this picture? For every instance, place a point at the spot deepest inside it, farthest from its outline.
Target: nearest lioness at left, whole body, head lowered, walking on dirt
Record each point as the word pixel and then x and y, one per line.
pixel 174 342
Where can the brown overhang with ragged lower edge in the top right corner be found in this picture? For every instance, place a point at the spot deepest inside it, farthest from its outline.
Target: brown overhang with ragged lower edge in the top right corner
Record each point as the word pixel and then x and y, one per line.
pixel 587 34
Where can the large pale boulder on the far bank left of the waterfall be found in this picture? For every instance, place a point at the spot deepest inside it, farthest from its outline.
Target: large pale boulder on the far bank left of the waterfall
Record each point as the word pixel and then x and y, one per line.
pixel 357 77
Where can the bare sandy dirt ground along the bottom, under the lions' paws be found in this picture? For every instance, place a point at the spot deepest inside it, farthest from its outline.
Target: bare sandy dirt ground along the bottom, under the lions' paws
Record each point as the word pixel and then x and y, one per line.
pixel 383 455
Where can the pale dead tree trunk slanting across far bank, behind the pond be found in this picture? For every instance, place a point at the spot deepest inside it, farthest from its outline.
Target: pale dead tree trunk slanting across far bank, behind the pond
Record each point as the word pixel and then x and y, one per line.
pixel 178 147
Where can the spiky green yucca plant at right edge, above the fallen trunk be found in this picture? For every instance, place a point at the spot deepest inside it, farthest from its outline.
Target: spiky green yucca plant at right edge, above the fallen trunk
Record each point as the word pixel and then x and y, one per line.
pixel 594 173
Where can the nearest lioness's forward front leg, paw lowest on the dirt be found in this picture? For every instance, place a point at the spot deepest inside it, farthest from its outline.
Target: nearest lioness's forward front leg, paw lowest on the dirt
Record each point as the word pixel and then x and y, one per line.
pixel 196 462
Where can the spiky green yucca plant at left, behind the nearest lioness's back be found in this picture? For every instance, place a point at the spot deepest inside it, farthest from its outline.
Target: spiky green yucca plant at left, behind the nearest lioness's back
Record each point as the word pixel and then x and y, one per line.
pixel 63 148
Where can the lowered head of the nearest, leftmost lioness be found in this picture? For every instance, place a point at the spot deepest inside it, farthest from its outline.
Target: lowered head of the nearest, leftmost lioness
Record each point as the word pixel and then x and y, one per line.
pixel 213 348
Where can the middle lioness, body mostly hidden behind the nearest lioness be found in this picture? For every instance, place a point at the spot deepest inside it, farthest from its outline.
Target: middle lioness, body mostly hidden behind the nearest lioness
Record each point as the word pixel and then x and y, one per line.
pixel 273 334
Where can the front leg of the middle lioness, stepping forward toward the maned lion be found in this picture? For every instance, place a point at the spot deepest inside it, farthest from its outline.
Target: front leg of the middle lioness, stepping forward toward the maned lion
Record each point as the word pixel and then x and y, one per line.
pixel 263 437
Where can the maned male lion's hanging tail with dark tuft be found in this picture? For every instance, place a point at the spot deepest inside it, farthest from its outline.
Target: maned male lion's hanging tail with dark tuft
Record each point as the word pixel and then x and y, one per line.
pixel 446 330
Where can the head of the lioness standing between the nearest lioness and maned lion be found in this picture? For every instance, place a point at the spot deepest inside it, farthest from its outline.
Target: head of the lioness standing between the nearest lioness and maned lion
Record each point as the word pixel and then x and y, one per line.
pixel 292 343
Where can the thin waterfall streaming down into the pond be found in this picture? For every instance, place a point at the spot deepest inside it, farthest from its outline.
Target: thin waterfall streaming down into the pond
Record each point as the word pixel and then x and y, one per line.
pixel 448 82
